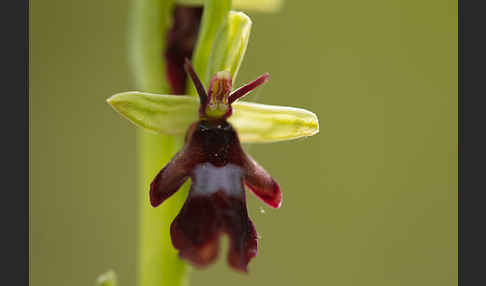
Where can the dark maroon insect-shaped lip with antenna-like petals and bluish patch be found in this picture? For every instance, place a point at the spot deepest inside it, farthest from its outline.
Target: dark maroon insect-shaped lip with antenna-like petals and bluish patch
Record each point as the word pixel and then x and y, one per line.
pixel 219 168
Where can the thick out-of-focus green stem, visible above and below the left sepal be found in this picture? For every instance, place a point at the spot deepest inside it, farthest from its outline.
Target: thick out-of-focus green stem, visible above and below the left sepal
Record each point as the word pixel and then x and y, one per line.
pixel 158 263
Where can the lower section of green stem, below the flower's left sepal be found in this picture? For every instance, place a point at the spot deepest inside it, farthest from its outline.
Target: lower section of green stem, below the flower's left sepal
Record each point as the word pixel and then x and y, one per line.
pixel 159 263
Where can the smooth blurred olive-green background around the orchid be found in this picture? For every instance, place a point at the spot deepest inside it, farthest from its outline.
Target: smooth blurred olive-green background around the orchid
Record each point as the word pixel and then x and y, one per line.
pixel 370 200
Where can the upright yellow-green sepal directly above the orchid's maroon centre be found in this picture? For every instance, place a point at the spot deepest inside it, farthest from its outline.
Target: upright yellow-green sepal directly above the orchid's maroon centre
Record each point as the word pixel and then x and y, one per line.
pixel 230 45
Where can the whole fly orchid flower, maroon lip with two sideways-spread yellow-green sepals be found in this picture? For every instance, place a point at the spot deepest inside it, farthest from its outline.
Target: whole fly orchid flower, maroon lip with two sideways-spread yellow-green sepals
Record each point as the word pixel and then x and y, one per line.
pixel 213 158
